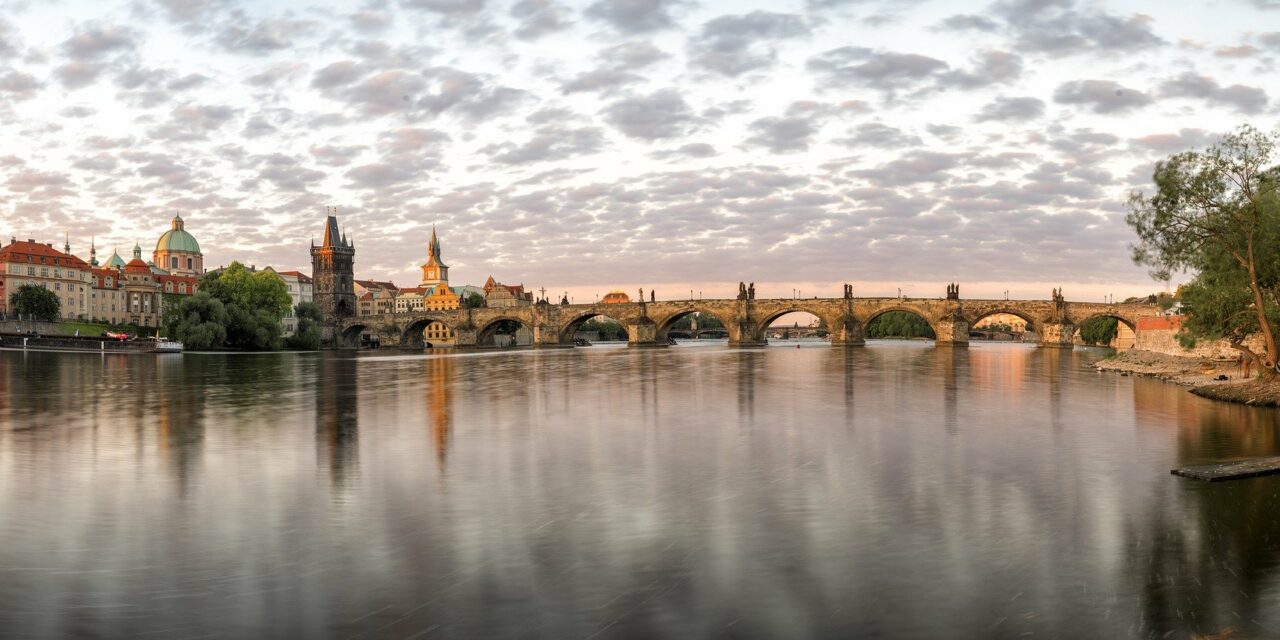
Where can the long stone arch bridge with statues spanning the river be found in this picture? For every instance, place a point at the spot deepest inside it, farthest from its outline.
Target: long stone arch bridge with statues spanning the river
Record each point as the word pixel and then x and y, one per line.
pixel 746 321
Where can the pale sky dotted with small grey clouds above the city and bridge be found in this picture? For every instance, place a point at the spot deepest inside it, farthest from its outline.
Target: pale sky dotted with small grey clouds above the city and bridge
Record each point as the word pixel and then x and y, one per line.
pixel 682 147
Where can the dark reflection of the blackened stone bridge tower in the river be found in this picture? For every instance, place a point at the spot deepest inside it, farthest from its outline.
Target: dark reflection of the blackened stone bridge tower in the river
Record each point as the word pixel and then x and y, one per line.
pixel 337 418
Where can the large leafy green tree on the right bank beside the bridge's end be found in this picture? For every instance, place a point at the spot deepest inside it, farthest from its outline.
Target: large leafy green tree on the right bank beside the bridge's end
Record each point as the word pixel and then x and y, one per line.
pixel 1217 214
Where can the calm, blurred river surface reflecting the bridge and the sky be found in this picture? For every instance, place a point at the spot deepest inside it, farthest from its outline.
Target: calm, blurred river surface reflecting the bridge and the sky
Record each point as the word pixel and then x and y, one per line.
pixel 894 491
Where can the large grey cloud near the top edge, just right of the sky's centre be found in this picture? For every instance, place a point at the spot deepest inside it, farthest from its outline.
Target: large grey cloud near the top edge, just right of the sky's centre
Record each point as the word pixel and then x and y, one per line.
pixel 733 45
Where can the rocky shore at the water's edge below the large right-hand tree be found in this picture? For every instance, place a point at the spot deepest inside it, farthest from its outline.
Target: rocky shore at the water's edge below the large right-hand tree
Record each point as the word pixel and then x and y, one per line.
pixel 1215 380
